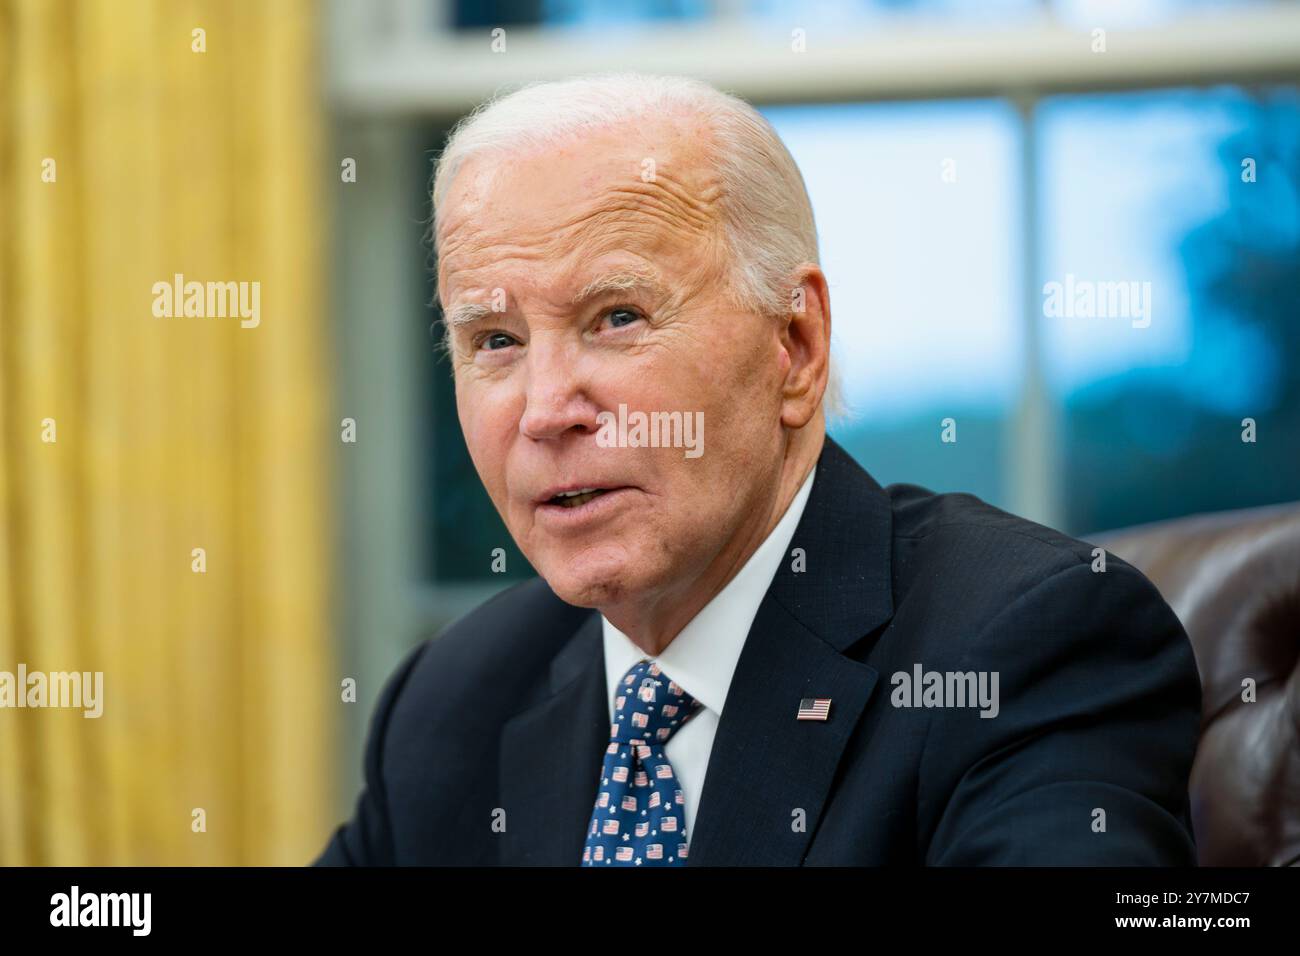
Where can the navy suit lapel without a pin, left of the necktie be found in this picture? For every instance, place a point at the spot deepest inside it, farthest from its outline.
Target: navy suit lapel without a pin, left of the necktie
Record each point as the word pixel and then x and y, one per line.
pixel 552 758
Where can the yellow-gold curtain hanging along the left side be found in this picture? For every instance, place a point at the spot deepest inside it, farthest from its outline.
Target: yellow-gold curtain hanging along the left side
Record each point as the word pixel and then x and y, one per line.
pixel 131 440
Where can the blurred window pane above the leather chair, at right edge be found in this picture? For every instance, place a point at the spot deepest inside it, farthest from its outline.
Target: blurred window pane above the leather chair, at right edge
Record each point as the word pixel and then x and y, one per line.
pixel 1195 198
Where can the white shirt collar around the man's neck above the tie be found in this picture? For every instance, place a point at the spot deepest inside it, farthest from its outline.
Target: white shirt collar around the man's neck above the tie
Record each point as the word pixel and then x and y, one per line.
pixel 704 656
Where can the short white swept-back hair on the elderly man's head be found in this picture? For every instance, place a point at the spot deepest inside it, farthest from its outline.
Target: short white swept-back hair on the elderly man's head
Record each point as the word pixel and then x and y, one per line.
pixel 765 211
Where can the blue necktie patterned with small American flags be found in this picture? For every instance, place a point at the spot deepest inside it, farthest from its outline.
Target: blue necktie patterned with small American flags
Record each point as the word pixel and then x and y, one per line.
pixel 639 819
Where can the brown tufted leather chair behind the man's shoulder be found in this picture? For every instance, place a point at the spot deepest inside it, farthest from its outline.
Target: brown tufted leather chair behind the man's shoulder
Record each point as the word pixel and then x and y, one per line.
pixel 1234 581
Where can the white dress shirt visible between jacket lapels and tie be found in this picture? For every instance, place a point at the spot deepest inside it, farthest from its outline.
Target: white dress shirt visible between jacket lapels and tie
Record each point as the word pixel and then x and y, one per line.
pixel 704 655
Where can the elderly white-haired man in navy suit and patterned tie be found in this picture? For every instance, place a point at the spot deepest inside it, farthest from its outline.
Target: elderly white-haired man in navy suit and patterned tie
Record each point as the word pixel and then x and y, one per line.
pixel 742 650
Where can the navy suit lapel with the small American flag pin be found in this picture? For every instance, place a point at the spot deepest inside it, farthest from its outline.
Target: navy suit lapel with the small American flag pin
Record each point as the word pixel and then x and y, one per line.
pixel 769 772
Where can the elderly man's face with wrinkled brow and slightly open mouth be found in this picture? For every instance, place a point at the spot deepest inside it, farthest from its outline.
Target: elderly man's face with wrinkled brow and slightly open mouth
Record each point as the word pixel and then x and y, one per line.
pixel 610 292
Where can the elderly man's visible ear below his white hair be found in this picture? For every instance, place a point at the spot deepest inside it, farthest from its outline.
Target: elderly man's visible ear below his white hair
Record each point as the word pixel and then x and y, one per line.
pixel 807 343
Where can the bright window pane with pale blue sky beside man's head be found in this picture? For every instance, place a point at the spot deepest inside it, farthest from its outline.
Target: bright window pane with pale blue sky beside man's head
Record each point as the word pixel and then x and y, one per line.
pixel 924 274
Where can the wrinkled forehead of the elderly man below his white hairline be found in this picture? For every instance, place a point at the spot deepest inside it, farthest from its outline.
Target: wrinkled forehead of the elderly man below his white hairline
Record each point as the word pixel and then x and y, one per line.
pixel 644 189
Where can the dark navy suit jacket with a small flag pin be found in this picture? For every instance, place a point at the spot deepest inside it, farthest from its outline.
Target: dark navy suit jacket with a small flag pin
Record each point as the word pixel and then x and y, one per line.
pixel 487 745
